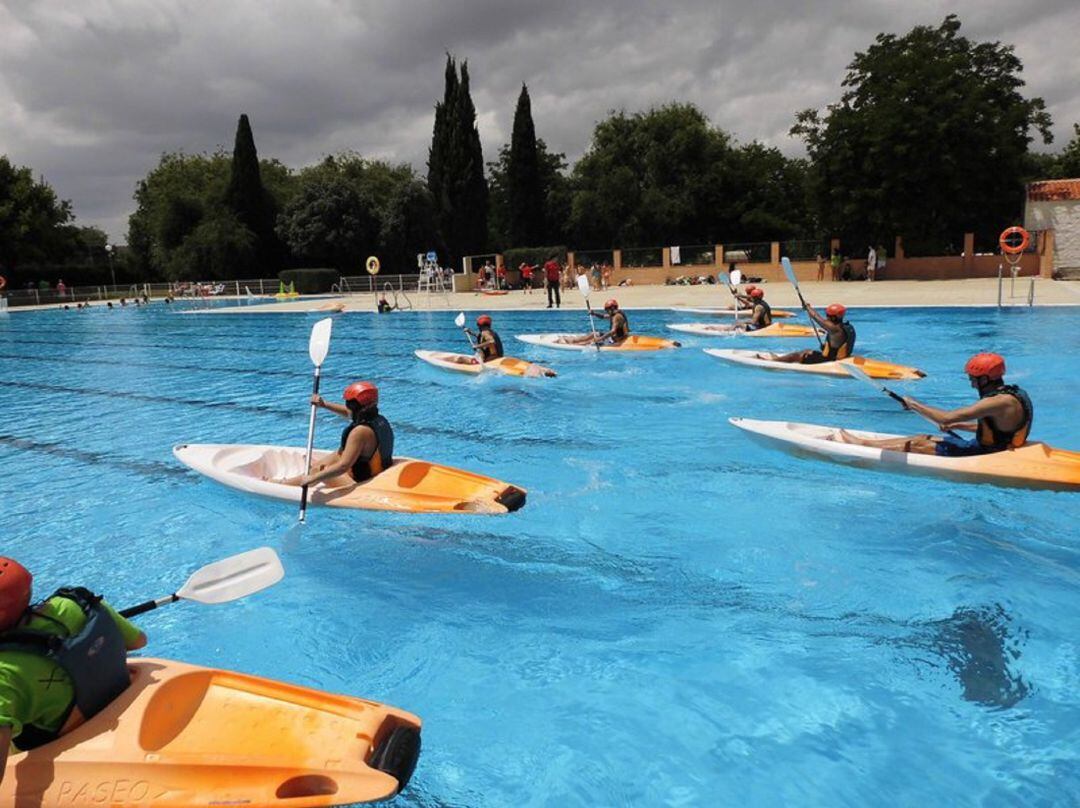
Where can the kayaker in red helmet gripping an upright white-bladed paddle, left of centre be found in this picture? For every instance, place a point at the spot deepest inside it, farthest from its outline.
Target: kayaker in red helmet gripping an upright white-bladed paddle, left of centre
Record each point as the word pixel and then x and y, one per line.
pixel 368 443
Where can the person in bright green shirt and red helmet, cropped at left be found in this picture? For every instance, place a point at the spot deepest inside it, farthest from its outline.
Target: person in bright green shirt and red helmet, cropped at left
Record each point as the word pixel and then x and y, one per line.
pixel 62 661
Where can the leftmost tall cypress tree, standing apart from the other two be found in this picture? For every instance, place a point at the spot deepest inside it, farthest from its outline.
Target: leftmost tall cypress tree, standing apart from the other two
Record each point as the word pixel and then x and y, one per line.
pixel 251 203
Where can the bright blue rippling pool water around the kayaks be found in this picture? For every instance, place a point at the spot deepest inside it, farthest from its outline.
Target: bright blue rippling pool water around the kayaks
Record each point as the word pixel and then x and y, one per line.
pixel 678 617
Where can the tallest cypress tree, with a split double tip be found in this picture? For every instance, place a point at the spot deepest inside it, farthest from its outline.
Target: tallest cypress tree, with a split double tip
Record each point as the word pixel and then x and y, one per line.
pixel 456 168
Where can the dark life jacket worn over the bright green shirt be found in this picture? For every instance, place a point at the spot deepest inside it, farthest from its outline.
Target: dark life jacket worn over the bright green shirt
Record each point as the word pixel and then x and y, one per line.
pixel 96 659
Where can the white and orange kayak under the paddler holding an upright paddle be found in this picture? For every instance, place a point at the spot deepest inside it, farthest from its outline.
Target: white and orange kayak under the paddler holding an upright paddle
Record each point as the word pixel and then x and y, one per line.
pixel 409 486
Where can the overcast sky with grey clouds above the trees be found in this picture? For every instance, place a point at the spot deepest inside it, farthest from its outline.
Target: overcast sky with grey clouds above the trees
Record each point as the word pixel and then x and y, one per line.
pixel 92 92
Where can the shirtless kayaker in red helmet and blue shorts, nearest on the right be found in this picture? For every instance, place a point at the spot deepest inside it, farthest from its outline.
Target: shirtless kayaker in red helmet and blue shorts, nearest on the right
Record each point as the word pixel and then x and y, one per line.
pixel 1002 419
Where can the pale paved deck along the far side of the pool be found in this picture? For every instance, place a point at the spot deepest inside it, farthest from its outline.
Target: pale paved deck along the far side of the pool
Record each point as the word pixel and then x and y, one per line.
pixel 971 292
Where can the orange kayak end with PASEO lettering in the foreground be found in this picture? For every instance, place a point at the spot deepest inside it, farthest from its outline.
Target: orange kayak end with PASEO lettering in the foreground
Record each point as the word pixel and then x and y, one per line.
pixel 185 736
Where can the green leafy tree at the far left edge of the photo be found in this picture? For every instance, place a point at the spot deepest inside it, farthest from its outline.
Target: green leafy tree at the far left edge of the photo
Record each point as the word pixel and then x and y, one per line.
pixel 32 219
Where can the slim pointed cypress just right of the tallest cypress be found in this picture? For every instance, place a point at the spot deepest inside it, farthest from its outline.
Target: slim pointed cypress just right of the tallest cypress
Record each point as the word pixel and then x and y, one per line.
pixel 524 187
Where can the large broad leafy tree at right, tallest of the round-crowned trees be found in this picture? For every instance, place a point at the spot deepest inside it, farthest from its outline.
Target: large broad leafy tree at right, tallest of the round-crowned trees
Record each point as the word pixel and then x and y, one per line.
pixel 929 140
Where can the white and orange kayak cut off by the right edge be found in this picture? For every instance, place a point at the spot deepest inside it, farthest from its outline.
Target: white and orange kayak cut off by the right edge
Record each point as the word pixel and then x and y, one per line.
pixel 1032 466
